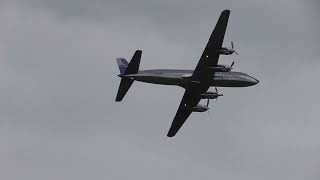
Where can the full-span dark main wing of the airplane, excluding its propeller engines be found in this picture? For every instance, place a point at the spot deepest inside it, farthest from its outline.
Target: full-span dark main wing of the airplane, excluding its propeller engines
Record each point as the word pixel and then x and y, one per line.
pixel 202 74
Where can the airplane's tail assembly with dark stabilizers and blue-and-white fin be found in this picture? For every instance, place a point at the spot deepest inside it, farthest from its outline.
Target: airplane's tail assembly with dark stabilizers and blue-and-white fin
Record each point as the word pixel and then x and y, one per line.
pixel 126 69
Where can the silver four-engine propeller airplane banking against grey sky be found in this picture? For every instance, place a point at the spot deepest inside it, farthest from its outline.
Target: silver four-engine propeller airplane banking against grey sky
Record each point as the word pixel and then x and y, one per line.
pixel 208 73
